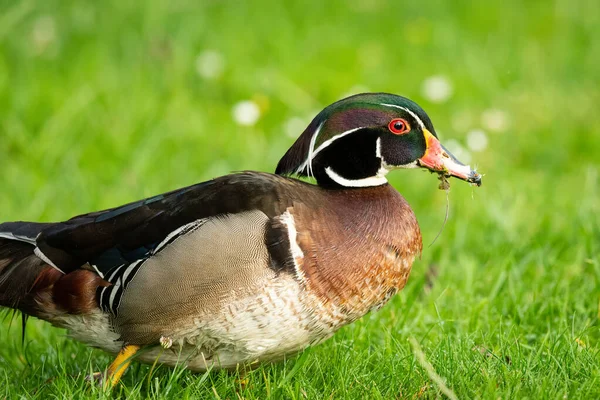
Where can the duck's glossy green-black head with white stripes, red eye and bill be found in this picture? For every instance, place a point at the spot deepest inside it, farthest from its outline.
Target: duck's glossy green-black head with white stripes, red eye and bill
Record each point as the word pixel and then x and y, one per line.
pixel 356 141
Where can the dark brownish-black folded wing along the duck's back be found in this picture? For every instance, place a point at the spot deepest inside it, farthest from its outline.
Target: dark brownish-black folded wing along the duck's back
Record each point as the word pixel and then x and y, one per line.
pixel 107 239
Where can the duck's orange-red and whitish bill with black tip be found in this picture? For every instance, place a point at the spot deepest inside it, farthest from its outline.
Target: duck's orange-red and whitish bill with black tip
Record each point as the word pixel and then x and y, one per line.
pixel 438 159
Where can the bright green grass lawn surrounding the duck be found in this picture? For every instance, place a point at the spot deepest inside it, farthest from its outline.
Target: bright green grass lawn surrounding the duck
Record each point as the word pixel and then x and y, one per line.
pixel 101 104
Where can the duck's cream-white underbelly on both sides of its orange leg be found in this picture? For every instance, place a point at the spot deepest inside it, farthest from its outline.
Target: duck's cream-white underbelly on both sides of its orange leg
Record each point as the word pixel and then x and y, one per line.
pixel 276 322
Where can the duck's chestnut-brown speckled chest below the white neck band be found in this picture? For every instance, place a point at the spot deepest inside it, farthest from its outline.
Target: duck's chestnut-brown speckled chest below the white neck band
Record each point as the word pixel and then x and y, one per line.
pixel 353 249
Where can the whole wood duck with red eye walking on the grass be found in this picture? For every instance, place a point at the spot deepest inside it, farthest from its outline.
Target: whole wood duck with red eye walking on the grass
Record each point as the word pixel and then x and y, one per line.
pixel 245 268
